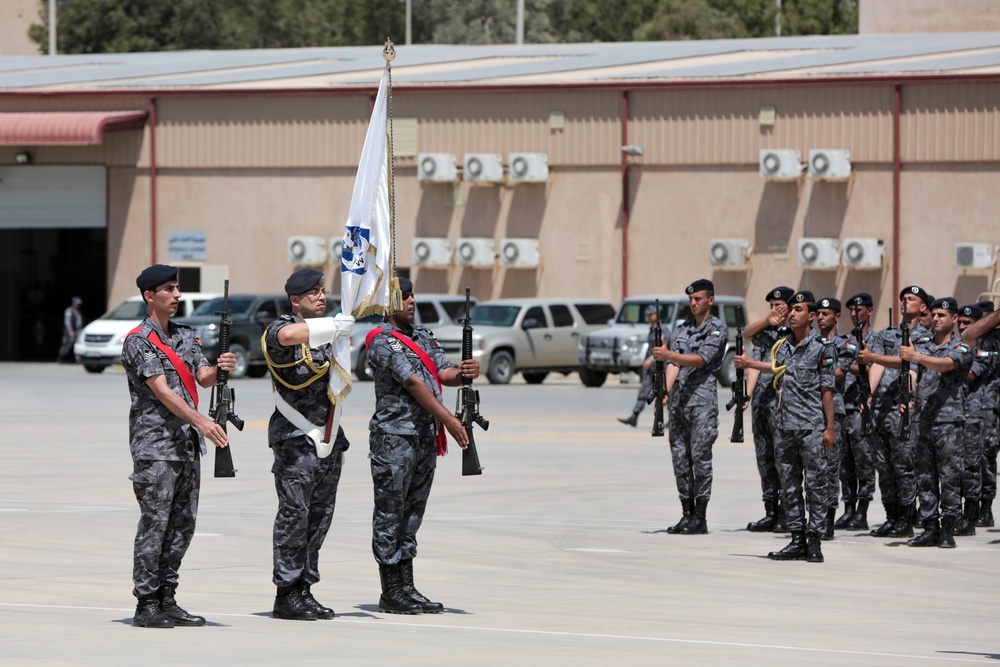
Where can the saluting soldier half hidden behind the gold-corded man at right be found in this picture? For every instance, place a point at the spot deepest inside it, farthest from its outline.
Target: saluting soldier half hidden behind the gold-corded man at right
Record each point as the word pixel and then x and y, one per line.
pixel 763 401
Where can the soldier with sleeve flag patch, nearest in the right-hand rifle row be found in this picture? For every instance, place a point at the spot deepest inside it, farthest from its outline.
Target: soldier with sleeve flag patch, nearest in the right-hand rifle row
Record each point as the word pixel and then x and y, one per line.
pixel 939 403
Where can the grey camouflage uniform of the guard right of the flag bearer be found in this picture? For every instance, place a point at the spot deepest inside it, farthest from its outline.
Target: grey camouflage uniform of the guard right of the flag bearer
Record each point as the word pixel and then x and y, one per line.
pixel 403 441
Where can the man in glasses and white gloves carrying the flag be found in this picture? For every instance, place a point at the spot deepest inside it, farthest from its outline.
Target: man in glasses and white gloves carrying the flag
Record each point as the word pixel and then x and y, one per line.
pixel 299 353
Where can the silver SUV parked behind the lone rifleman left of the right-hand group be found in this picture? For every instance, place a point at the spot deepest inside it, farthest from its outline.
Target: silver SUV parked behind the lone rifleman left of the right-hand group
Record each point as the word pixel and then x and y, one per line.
pixel 621 348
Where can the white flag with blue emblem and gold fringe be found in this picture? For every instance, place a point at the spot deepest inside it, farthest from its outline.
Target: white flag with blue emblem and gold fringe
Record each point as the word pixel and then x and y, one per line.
pixel 366 260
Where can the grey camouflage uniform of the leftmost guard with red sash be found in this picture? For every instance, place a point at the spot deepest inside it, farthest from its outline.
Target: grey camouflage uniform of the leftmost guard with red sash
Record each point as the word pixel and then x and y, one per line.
pixel 166 465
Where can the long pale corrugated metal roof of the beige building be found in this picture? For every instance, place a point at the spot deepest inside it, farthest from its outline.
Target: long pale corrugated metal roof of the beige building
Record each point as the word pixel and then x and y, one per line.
pixel 533 64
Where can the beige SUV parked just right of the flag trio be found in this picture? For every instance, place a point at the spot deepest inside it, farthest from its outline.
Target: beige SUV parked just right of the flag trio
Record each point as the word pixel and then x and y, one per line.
pixel 532 336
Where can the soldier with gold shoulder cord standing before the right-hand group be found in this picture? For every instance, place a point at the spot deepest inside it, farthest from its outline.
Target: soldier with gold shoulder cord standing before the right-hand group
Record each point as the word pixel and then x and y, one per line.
pixel 803 362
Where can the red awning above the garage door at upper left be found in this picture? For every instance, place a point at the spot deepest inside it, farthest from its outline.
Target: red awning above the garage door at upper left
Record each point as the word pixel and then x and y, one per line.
pixel 64 128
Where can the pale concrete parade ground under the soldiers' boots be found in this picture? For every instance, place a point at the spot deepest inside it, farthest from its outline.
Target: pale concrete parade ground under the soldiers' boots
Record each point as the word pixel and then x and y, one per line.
pixel 555 555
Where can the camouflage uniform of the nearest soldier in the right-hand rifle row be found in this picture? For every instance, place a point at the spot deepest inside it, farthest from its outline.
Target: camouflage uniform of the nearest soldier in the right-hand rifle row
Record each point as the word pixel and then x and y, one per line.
pixel 939 403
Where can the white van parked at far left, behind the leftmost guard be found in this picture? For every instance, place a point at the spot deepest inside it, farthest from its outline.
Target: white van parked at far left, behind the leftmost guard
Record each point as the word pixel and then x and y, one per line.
pixel 99 344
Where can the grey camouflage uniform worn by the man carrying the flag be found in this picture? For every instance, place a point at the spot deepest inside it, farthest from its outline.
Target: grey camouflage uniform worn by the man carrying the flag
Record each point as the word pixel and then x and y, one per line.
pixel 306 485
